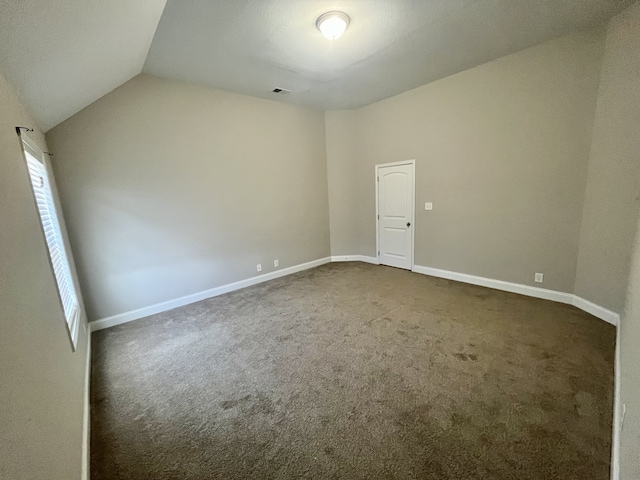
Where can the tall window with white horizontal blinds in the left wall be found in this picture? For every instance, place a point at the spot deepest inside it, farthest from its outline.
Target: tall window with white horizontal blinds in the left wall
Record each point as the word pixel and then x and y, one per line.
pixel 53 236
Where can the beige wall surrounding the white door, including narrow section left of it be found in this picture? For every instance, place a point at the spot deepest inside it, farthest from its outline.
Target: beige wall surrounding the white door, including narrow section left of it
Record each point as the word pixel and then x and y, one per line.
pixel 501 150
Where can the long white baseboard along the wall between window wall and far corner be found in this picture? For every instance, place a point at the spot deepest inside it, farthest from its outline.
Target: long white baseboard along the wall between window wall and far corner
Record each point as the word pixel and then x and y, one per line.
pixel 196 297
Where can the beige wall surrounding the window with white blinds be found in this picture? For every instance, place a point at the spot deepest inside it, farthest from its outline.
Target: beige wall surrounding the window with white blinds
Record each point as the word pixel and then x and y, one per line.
pixel 41 380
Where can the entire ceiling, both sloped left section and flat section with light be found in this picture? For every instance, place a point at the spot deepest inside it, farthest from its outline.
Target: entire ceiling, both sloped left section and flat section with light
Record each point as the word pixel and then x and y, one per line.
pixel 63 55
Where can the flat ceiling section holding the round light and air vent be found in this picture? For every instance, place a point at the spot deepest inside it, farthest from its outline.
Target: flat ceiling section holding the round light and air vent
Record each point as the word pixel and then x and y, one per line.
pixel 252 46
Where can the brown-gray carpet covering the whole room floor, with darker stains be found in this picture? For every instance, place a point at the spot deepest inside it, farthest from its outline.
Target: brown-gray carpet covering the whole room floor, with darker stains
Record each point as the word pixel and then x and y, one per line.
pixel 354 371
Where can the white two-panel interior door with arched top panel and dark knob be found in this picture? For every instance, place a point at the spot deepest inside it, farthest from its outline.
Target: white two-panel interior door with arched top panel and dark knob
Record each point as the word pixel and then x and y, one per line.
pixel 395 214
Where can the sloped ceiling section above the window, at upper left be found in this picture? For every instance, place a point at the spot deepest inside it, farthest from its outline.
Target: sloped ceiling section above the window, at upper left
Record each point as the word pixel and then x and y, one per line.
pixel 62 55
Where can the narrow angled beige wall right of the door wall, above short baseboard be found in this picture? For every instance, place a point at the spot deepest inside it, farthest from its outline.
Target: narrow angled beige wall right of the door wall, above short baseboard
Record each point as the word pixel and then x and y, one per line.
pixel 612 199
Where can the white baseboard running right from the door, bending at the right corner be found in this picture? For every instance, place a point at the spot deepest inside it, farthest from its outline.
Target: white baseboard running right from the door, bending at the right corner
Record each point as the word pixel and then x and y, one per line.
pixel 561 297
